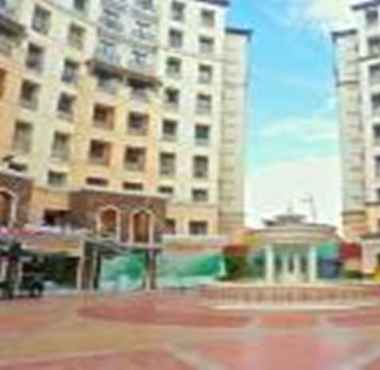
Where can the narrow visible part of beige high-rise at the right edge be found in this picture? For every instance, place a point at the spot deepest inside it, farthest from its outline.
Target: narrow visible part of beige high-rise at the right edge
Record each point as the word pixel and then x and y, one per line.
pixel 358 89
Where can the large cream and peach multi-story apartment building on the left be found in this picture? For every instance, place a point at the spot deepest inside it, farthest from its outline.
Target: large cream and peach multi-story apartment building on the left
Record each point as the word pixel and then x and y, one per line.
pixel 125 117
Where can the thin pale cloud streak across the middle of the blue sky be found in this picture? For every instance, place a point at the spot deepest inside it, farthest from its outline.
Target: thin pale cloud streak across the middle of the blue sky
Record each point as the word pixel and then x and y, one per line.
pixel 303 130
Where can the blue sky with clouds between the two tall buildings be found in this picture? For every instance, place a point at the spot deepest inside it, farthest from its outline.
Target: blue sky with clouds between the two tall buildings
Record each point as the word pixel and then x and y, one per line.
pixel 292 149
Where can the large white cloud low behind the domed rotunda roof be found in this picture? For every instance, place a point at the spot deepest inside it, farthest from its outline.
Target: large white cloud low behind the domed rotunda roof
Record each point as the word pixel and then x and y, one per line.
pixel 271 190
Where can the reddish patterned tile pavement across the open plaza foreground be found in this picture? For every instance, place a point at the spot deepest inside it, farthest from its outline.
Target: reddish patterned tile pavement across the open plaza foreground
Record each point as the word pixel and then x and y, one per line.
pixel 172 332
